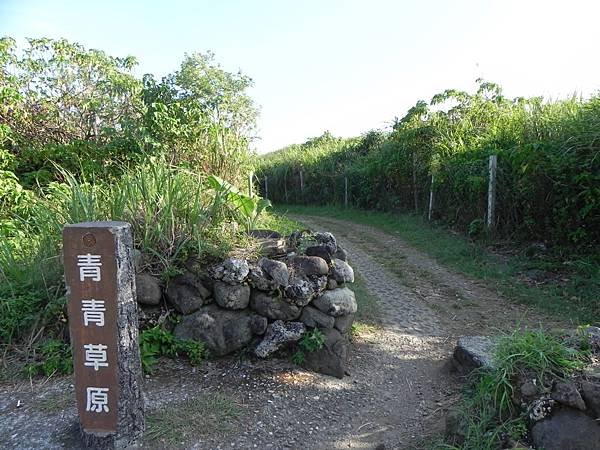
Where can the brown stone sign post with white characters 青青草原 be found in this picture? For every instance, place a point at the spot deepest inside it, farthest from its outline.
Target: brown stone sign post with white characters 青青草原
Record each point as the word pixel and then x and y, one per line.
pixel 103 323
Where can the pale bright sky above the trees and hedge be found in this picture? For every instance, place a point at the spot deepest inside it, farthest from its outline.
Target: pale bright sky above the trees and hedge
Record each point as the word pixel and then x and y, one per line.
pixel 341 65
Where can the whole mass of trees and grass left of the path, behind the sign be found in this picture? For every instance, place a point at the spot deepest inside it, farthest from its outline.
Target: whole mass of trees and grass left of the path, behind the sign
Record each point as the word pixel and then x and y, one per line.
pixel 81 138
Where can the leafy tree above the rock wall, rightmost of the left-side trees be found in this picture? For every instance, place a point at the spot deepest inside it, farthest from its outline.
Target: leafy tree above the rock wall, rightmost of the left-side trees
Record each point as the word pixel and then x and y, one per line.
pixel 203 115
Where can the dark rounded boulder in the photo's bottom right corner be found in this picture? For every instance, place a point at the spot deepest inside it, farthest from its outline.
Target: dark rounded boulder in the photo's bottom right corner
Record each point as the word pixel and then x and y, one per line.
pixel 566 429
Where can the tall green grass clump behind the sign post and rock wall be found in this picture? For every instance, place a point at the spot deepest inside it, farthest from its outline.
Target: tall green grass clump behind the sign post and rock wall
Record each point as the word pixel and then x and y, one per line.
pixel 174 213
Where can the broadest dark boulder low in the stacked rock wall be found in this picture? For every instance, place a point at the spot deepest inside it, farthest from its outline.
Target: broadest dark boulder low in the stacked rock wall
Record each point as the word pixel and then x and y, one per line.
pixel 221 330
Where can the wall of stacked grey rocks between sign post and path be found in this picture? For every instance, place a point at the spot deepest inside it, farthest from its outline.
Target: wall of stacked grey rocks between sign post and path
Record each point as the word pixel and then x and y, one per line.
pixel 270 301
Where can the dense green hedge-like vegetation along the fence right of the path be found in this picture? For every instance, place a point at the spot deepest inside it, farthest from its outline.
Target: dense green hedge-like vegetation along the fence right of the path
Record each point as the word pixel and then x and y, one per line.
pixel 548 166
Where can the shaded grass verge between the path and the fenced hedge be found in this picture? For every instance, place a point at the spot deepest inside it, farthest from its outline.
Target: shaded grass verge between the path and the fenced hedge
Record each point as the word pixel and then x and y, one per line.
pixel 564 286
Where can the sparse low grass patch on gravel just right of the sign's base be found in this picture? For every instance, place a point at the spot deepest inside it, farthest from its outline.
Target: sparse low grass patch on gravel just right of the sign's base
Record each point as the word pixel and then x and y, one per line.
pixel 177 422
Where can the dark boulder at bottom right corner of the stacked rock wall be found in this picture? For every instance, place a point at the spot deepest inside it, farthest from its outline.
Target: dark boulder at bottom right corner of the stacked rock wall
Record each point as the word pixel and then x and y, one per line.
pixel 332 358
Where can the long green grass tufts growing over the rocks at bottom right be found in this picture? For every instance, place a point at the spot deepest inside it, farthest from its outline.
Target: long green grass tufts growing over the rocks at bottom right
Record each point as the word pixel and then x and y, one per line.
pixel 487 412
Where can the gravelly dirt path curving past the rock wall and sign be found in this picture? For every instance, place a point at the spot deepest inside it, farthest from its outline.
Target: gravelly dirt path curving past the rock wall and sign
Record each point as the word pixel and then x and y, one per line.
pixel 397 393
